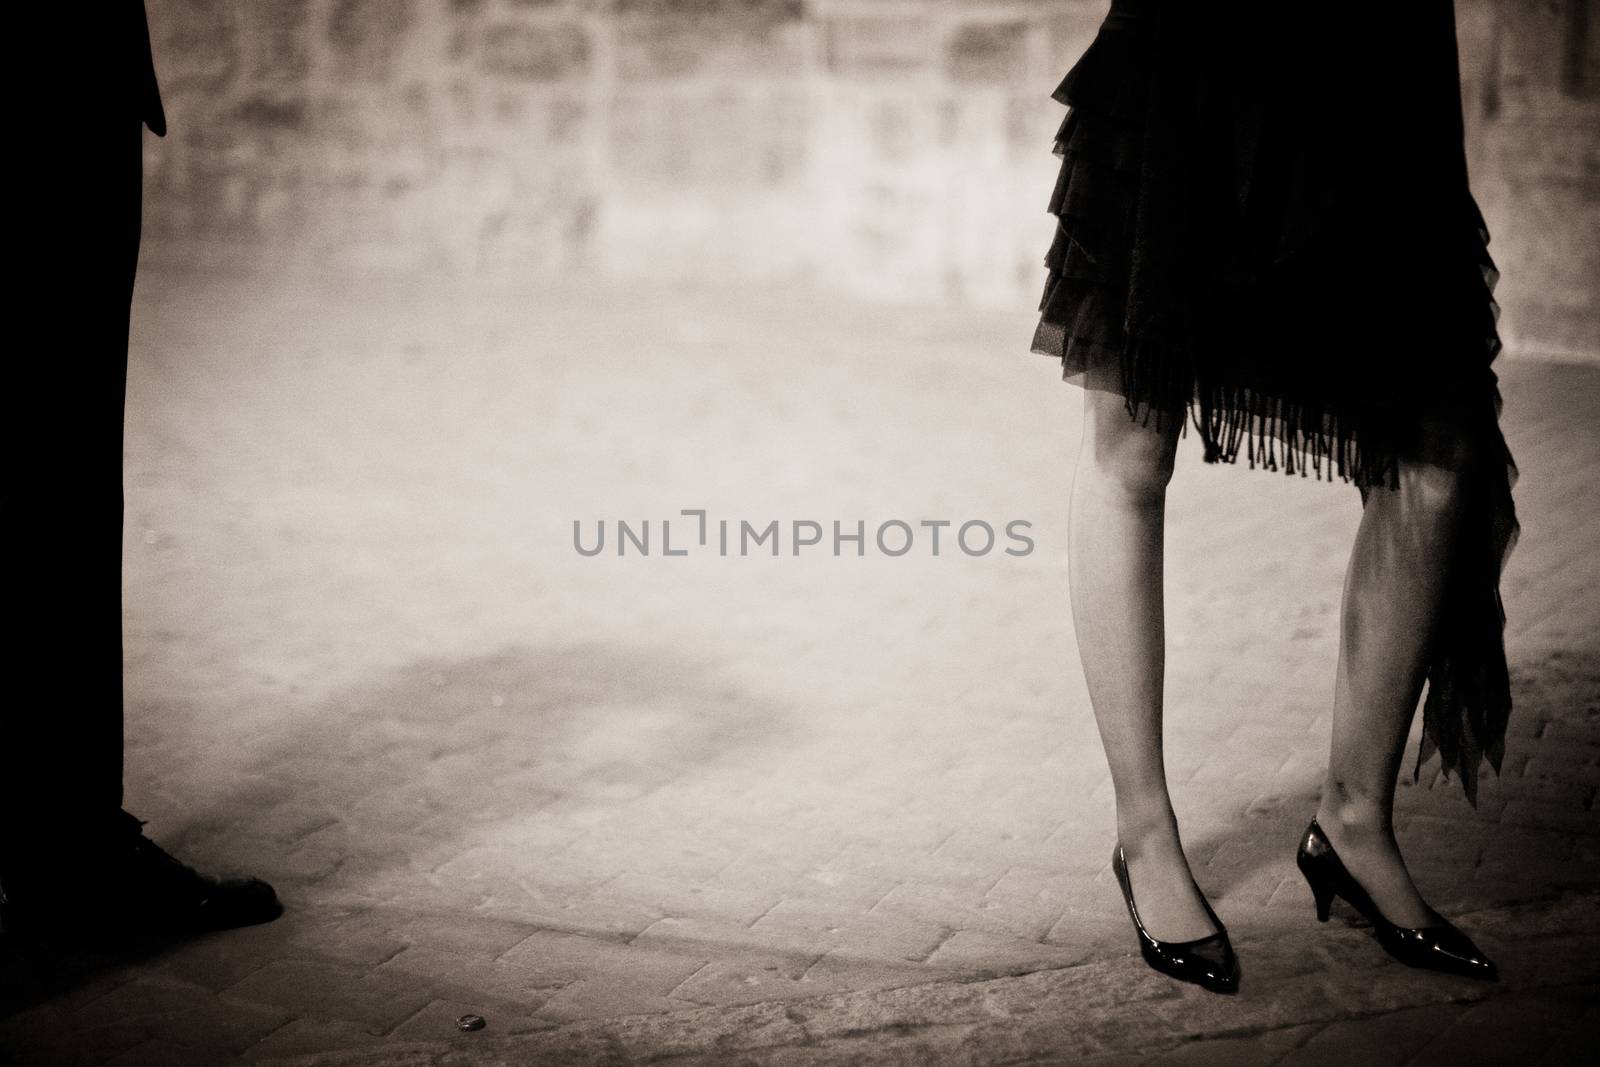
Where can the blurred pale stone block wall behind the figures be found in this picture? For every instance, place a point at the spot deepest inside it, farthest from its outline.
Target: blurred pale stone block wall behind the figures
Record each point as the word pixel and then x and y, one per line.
pixel 884 148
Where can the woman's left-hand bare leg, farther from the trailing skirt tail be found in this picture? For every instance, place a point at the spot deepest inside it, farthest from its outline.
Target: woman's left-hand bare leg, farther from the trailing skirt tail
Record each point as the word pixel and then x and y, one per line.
pixel 1114 562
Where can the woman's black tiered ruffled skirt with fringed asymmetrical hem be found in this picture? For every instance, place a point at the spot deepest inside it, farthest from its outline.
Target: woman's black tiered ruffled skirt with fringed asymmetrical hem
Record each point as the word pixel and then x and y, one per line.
pixel 1265 223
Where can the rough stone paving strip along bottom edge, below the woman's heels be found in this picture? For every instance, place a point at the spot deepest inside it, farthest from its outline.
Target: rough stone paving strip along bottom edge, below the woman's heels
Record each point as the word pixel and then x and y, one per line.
pixel 1108 1010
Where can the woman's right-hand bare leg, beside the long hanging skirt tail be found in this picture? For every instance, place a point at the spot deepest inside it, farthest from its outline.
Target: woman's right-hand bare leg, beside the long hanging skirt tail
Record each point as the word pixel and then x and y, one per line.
pixel 1393 593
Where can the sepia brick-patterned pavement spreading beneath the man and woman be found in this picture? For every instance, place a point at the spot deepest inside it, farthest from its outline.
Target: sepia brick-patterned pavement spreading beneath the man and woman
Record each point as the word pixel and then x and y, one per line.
pixel 751 809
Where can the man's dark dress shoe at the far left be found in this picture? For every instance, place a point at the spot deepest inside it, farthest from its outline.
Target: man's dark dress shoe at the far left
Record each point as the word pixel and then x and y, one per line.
pixel 122 884
